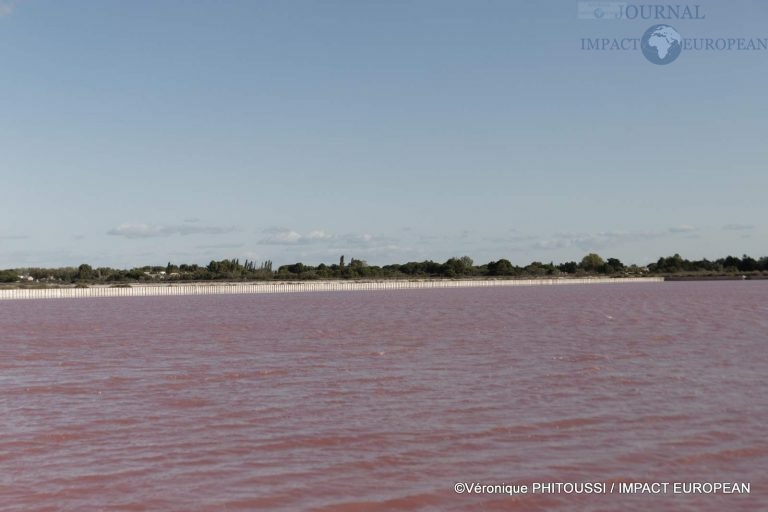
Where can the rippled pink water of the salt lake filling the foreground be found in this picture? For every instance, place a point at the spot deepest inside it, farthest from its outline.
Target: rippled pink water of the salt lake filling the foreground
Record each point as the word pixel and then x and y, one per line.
pixel 385 400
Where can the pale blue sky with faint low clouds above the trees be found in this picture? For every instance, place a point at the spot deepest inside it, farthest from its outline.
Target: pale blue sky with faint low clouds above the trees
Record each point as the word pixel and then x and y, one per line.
pixel 140 132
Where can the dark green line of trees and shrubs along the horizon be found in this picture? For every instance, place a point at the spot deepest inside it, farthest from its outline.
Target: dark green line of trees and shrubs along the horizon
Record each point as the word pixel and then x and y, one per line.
pixel 233 269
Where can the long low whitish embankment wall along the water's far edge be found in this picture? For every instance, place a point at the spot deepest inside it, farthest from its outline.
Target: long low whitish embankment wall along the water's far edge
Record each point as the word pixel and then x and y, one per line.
pixel 270 287
